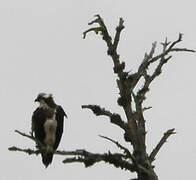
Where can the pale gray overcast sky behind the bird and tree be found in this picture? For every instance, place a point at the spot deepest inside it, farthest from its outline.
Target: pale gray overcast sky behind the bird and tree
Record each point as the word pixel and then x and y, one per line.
pixel 42 50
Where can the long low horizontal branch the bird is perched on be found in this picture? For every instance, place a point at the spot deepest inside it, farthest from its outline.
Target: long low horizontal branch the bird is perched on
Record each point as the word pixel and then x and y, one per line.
pixel 89 159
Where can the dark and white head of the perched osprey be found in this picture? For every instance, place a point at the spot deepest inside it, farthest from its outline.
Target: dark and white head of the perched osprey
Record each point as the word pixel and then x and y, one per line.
pixel 45 100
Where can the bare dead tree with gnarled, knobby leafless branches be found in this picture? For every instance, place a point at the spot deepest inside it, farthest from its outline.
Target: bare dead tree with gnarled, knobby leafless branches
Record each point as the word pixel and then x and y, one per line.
pixel 131 100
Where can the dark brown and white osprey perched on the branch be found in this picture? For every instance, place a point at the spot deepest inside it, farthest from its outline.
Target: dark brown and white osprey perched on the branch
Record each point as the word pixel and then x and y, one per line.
pixel 47 126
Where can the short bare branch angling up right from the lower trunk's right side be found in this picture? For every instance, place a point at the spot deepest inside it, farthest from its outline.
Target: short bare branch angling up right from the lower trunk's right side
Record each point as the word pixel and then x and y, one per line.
pixel 160 144
